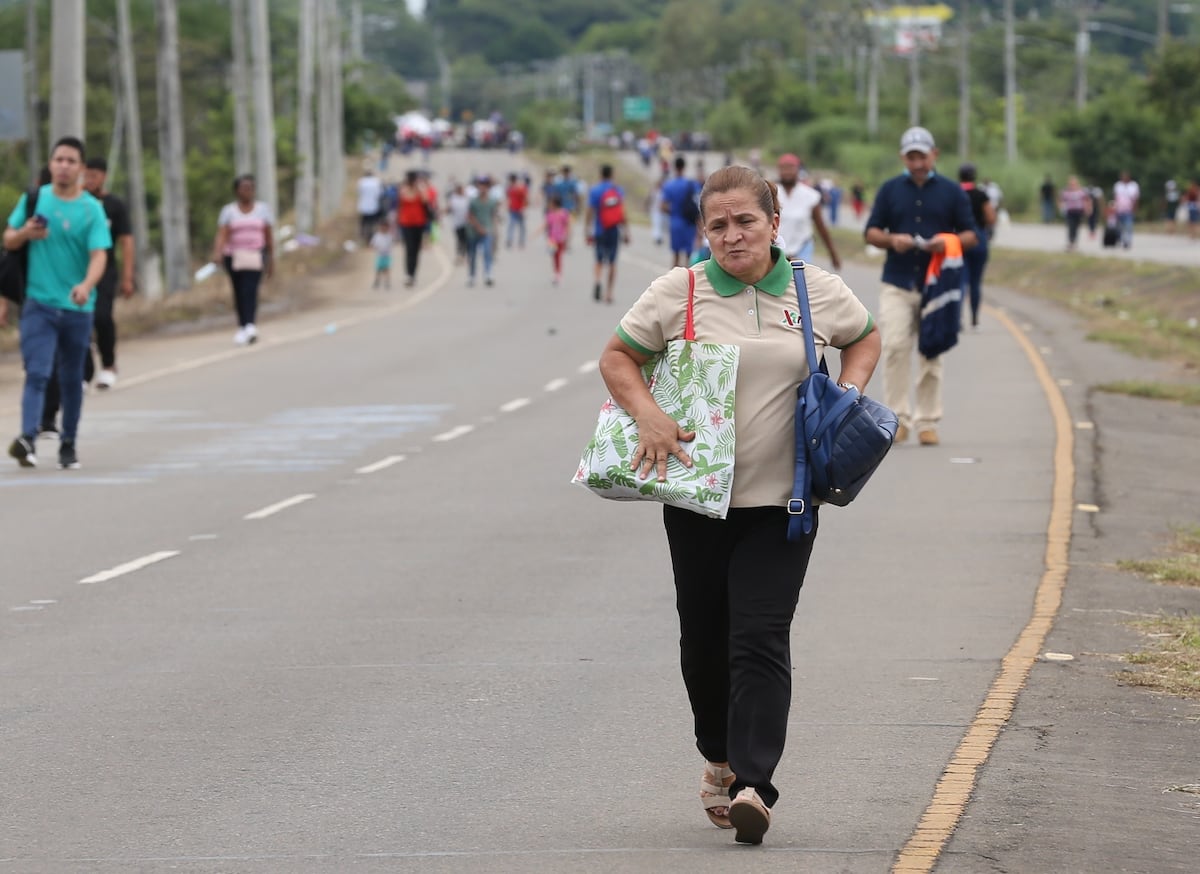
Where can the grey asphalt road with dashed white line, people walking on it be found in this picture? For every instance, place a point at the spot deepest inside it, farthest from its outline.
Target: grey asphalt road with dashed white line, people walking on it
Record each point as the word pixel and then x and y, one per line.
pixel 383 633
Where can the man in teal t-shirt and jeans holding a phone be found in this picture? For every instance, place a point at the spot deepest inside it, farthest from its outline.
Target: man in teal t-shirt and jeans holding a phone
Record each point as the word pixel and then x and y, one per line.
pixel 69 242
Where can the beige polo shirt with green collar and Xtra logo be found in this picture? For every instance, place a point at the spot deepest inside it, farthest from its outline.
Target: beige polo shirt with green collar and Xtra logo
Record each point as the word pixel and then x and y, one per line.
pixel 765 322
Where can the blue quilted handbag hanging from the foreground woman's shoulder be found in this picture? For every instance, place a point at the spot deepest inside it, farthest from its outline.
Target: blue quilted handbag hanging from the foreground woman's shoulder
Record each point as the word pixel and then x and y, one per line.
pixel 841 435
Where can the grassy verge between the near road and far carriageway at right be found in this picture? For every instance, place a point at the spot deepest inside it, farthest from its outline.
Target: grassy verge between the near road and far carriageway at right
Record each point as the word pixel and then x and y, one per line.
pixel 1149 310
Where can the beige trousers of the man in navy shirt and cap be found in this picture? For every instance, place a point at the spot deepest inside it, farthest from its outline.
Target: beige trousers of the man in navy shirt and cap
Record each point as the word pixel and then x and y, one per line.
pixel 901 325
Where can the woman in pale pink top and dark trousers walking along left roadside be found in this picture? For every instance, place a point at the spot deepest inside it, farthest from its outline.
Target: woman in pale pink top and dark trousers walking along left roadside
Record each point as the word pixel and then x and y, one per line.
pixel 245 246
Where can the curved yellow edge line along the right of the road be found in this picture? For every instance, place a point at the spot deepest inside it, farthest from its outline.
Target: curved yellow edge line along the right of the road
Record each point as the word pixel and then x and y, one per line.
pixel 958 781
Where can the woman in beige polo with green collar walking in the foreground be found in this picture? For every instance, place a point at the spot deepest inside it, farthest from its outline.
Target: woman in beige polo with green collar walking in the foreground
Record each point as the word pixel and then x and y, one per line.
pixel 739 580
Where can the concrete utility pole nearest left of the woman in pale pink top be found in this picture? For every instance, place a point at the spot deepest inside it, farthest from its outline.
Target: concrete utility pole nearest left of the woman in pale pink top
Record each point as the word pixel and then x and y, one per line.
pixel 171 151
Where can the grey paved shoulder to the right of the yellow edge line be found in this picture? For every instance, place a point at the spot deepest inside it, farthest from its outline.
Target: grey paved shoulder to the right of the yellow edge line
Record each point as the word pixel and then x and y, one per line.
pixel 1081 780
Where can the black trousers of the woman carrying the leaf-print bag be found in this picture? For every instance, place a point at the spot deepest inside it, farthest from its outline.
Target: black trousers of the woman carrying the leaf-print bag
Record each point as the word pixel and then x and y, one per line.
pixel 737 585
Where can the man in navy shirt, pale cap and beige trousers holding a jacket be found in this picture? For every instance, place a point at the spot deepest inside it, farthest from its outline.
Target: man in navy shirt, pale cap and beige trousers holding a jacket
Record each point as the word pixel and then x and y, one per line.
pixel 909 211
